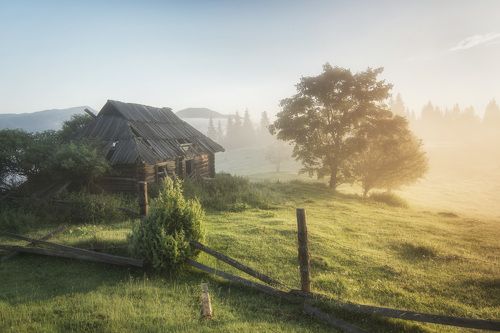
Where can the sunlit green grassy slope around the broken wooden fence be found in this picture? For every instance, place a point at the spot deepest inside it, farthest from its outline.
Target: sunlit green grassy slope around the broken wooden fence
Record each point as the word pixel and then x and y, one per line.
pixel 362 252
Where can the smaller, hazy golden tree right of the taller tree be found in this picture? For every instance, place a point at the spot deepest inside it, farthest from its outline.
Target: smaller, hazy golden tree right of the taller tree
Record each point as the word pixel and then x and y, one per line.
pixel 393 156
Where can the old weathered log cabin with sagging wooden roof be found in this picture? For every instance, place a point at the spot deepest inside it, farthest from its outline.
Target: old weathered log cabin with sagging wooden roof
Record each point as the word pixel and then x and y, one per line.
pixel 145 143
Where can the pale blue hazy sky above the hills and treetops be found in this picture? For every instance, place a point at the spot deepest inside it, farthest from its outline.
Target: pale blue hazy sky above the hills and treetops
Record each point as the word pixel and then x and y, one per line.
pixel 232 55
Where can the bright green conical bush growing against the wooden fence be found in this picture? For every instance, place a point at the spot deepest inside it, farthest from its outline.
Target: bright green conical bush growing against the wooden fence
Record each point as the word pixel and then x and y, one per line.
pixel 163 238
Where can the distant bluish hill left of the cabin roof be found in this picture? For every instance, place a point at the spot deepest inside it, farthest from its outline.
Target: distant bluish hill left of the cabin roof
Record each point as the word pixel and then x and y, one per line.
pixel 41 120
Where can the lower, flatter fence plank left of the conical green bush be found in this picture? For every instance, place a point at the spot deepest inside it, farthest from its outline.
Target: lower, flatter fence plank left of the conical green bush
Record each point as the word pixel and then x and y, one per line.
pixel 71 255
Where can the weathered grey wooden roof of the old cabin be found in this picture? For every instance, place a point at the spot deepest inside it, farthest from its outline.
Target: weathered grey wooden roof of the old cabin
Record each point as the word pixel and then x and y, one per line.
pixel 135 133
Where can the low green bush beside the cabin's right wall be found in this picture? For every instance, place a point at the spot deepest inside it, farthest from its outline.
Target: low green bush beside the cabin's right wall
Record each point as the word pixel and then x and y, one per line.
pixel 229 193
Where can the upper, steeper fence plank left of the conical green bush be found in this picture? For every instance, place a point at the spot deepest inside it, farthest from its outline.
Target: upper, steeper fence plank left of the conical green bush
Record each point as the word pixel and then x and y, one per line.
pixel 64 248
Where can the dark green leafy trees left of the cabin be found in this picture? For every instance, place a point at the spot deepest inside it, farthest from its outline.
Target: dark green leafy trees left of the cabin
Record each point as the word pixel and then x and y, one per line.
pixel 50 156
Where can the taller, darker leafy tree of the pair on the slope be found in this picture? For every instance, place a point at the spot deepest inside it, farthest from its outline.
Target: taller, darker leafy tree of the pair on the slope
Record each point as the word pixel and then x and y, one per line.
pixel 325 119
